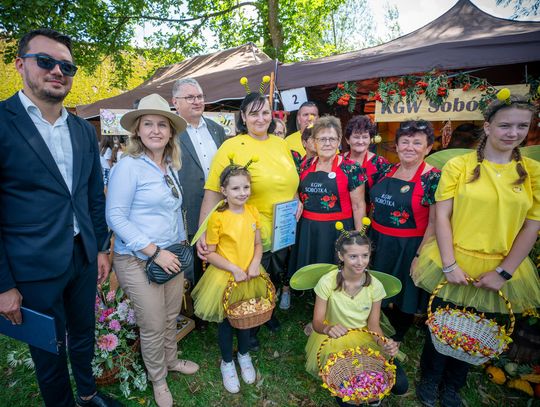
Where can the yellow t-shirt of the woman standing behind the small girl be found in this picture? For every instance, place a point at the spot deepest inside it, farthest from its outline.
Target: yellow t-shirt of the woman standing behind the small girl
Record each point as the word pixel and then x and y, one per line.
pixel 273 178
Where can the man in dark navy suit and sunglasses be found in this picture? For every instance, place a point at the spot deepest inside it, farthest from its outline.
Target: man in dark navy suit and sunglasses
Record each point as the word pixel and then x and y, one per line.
pixel 52 217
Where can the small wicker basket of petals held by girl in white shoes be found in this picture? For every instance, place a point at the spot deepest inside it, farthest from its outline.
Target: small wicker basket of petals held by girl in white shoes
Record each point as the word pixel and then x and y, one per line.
pixel 251 312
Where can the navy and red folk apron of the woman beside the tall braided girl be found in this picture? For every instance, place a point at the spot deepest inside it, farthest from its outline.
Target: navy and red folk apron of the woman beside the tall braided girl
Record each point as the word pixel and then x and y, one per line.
pixel 397 229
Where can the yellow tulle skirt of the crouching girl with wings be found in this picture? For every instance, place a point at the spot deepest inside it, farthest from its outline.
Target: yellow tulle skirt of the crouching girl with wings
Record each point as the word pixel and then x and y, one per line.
pixel 351 340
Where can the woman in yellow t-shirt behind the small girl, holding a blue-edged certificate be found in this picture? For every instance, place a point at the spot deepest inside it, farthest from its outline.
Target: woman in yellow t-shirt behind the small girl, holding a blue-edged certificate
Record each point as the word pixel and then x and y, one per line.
pixel 273 179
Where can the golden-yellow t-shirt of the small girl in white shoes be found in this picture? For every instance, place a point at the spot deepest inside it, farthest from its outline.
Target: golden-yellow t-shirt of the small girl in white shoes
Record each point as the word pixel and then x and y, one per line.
pixel 234 234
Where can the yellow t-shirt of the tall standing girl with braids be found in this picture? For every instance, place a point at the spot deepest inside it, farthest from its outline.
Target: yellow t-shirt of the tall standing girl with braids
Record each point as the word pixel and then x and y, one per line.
pixel 489 212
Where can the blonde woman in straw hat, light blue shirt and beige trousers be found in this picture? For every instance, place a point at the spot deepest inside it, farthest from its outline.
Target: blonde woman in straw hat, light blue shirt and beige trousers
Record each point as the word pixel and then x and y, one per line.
pixel 144 205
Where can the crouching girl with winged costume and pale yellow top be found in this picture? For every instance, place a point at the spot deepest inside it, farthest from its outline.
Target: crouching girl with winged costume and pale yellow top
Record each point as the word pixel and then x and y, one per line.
pixel 349 297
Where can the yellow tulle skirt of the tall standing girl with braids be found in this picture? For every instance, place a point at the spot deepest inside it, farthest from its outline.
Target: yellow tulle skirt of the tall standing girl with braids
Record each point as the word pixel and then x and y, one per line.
pixel 523 290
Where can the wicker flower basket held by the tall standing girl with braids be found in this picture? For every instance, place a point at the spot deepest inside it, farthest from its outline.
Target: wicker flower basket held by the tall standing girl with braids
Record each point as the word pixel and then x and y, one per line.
pixel 465 335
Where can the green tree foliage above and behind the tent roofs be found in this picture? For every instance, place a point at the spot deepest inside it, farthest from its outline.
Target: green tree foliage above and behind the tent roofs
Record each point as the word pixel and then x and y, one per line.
pixel 102 30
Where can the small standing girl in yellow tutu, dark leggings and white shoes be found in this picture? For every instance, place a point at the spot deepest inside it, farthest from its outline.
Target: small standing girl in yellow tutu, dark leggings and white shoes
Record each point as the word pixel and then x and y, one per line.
pixel 233 238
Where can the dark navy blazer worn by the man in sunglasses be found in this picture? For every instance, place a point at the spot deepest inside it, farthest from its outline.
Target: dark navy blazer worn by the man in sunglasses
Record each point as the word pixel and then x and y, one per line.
pixel 36 207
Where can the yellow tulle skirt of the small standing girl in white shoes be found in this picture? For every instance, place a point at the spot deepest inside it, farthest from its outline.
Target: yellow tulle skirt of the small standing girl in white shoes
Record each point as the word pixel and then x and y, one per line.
pixel 208 293
